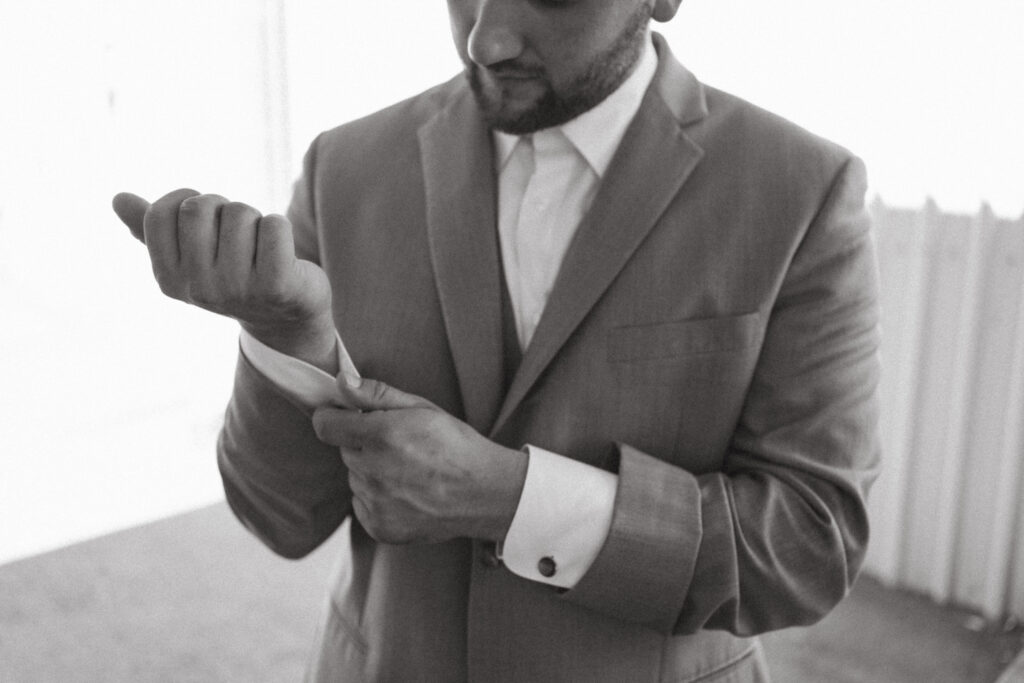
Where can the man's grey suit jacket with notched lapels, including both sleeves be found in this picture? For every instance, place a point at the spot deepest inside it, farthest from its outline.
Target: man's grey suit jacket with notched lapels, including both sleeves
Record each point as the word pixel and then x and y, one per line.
pixel 712 338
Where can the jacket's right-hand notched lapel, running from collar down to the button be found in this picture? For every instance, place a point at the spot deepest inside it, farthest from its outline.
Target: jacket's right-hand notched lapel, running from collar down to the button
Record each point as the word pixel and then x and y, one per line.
pixel 653 163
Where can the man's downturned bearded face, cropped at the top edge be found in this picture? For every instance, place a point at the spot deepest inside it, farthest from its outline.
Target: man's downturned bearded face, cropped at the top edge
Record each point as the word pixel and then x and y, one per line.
pixel 537 64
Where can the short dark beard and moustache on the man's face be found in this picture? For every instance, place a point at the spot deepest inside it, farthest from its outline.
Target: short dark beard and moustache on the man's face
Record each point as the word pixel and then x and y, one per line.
pixel 602 77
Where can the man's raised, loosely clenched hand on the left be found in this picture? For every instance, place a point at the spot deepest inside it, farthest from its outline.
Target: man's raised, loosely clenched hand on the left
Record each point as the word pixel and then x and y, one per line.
pixel 226 258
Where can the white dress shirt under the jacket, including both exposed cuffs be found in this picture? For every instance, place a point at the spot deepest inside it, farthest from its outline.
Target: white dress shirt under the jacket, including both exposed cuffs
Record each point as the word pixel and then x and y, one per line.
pixel 547 182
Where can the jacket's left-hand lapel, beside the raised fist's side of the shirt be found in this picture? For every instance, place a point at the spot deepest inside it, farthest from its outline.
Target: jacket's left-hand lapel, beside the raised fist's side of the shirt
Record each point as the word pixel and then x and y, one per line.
pixel 461 197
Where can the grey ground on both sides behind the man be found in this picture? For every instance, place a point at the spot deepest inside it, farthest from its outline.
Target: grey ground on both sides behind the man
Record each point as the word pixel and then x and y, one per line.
pixel 195 599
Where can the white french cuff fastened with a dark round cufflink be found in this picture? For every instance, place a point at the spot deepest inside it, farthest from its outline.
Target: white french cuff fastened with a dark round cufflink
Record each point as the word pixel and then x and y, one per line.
pixel 563 521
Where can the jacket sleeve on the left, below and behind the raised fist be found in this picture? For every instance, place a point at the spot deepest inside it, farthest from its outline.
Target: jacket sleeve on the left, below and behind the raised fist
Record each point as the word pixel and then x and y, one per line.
pixel 284 485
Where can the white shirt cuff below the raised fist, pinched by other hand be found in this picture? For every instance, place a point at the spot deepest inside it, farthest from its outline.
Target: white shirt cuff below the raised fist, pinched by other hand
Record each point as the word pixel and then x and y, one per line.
pixel 307 385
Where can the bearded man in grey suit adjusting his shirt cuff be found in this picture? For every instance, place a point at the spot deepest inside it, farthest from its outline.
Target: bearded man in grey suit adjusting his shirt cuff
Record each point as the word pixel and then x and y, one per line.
pixel 622 330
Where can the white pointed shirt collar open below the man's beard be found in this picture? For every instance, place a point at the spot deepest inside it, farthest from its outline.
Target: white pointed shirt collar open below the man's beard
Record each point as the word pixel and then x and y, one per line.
pixel 596 134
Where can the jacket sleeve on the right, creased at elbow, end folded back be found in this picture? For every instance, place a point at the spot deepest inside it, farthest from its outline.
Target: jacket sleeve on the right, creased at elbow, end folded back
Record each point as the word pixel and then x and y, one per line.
pixel 777 538
